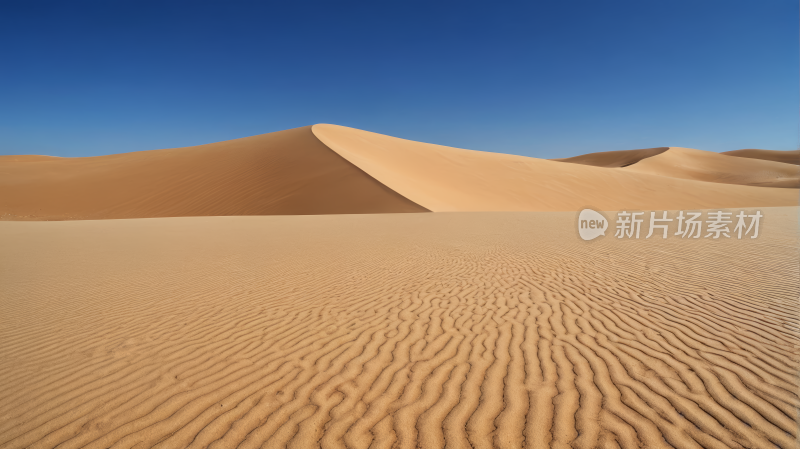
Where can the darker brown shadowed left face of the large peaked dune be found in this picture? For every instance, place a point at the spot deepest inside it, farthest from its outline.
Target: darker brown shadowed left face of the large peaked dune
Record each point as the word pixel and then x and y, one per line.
pixel 286 172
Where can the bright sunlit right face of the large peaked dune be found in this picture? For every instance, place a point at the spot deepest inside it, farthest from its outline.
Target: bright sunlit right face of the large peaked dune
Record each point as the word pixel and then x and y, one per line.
pixel 442 178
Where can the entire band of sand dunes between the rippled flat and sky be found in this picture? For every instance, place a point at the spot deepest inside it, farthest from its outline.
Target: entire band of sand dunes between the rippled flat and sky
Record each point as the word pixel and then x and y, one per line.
pixel 329 169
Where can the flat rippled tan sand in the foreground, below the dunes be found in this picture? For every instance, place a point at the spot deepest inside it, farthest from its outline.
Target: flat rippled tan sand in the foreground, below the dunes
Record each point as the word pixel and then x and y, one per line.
pixel 474 329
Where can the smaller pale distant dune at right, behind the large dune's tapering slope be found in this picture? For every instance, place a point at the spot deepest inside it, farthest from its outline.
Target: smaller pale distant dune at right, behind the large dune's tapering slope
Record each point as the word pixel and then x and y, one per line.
pixel 687 163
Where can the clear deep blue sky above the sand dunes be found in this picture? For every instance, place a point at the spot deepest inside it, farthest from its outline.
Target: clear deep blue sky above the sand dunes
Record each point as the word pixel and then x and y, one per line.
pixel 544 79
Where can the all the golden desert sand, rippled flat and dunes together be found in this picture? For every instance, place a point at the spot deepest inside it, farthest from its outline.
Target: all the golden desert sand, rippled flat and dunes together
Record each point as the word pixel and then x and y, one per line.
pixel 273 292
